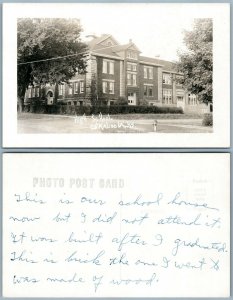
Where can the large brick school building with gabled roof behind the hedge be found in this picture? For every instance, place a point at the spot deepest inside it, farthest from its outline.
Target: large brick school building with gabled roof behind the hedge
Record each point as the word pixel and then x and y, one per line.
pixel 117 73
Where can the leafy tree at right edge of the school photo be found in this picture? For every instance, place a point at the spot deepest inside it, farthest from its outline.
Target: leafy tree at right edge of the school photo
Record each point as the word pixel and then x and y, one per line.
pixel 197 62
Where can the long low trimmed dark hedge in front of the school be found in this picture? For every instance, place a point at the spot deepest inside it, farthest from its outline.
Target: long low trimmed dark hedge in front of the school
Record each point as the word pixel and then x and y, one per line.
pixel 89 110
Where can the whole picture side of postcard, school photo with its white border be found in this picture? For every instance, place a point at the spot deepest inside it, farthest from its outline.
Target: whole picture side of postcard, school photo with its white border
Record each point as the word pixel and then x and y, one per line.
pixel 116 75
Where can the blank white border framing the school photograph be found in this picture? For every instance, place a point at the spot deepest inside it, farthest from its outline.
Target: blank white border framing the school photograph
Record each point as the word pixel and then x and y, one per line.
pixel 220 137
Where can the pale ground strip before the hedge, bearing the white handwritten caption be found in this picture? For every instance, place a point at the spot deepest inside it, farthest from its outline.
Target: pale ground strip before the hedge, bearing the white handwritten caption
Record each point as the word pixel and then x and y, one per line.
pixel 130 123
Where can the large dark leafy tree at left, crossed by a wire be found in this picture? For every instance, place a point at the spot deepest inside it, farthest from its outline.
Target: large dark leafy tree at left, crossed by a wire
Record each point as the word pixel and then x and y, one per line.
pixel 56 44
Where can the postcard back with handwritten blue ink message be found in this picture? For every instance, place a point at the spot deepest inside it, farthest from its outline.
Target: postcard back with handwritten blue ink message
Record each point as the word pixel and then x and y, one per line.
pixel 105 231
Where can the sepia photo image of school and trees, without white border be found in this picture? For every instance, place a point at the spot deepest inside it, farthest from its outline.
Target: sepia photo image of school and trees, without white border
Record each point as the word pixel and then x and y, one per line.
pixel 109 86
